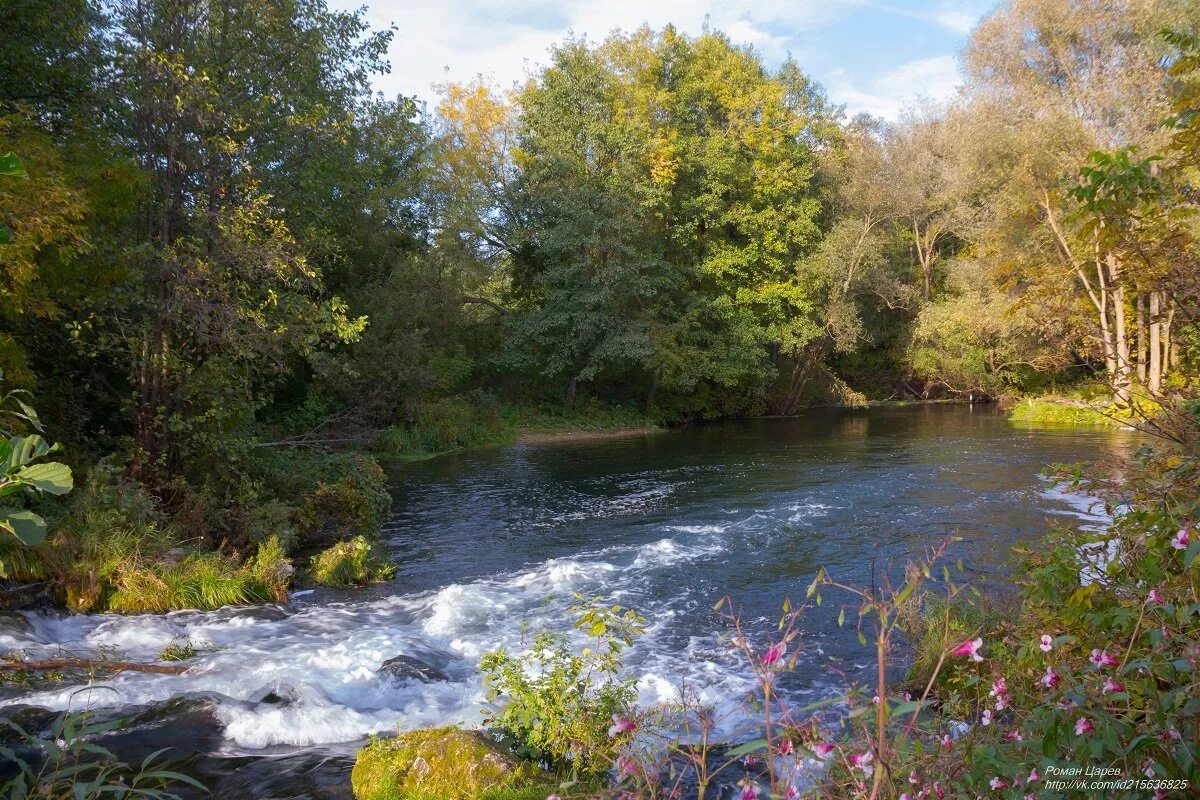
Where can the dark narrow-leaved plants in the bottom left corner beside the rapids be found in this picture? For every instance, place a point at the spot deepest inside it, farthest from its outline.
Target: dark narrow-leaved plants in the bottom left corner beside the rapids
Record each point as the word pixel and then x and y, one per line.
pixel 69 765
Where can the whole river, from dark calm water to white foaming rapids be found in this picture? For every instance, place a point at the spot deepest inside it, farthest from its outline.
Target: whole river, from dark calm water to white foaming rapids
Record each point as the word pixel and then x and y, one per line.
pixel 493 545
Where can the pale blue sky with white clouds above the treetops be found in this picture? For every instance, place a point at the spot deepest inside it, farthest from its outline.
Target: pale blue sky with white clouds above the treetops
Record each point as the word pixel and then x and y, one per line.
pixel 871 56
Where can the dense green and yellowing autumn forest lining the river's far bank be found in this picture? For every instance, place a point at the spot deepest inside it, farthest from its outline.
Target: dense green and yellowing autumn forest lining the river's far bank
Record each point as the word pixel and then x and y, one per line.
pixel 219 251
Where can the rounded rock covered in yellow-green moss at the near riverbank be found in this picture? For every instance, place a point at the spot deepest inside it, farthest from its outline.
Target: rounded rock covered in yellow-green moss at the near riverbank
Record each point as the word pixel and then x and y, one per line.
pixel 445 765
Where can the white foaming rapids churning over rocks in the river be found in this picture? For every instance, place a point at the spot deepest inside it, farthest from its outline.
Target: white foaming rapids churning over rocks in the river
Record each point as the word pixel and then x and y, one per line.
pixel 323 660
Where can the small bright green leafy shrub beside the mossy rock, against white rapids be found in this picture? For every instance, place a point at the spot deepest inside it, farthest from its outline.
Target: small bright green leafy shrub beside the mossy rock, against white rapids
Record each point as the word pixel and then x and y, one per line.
pixel 565 708
